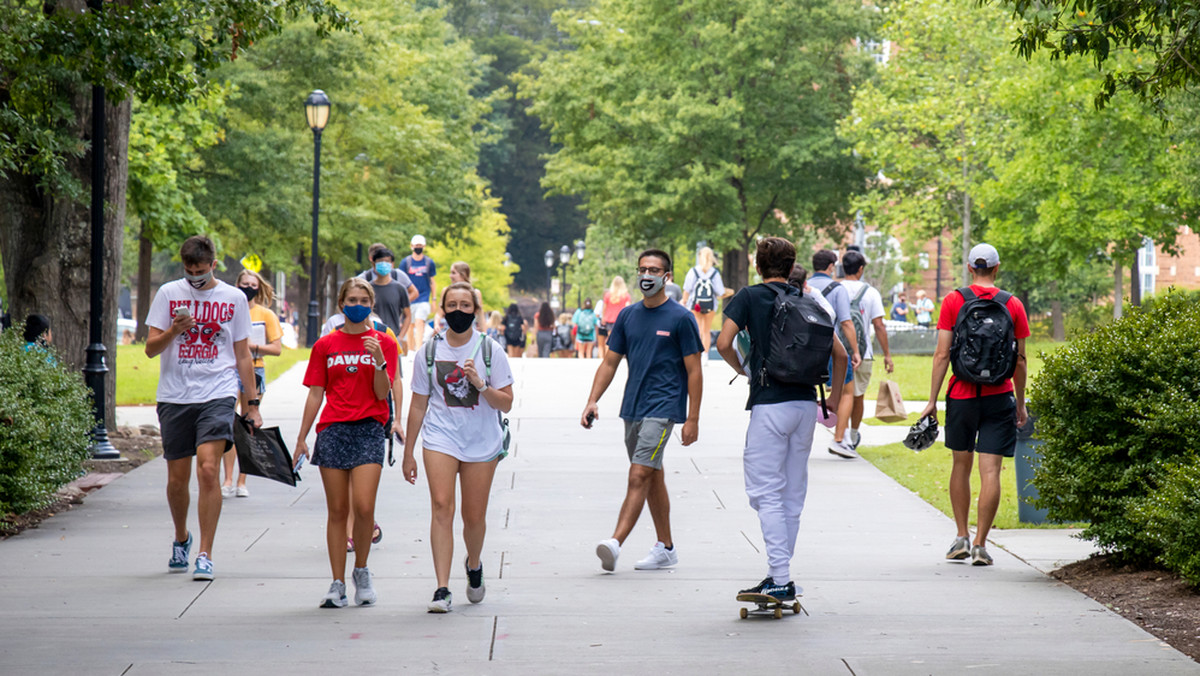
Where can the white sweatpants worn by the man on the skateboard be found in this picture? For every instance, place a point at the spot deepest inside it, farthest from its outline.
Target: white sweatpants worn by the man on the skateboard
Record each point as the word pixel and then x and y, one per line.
pixel 779 441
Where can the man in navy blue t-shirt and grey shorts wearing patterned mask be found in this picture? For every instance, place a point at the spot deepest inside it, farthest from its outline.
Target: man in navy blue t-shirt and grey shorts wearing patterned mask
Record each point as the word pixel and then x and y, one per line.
pixel 662 344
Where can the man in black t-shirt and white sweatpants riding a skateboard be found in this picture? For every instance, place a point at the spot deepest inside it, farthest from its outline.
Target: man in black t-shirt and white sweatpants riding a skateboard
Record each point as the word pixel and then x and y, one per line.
pixel 791 343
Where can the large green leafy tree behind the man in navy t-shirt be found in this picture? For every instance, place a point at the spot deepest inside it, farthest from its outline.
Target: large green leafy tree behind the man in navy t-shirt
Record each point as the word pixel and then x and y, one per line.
pixel 699 119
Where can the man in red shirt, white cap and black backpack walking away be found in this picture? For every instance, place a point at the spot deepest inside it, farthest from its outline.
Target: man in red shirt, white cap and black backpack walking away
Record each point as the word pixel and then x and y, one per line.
pixel 981 334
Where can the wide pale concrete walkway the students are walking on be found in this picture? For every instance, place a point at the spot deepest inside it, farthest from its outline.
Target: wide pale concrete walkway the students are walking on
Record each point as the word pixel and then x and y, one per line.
pixel 89 594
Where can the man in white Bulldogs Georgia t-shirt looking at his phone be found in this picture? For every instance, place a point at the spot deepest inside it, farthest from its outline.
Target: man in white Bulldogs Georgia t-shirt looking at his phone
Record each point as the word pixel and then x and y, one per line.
pixel 201 327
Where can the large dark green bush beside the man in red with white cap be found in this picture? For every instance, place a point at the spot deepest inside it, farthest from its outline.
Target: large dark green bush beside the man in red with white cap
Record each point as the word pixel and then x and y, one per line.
pixel 1117 410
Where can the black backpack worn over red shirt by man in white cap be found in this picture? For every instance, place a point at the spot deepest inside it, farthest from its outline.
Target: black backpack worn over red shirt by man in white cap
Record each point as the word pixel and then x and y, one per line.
pixel 985 349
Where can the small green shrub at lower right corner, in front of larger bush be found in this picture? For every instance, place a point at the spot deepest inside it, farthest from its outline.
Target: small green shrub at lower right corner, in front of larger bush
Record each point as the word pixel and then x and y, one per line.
pixel 1171 518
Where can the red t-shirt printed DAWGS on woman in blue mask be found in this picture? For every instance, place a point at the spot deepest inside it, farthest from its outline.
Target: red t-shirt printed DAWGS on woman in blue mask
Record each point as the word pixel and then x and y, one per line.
pixel 343 366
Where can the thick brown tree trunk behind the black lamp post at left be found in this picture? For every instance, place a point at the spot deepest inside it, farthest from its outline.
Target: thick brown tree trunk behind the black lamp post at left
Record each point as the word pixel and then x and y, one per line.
pixel 46 243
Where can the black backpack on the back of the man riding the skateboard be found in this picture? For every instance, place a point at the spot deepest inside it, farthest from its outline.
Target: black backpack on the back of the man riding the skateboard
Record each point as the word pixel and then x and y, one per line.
pixel 801 340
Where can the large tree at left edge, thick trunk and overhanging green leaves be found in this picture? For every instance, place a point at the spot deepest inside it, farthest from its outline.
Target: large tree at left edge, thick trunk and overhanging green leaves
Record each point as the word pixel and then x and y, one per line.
pixel 51 56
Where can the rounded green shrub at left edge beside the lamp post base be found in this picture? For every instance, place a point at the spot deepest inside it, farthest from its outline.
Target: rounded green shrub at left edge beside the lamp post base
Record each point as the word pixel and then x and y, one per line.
pixel 45 426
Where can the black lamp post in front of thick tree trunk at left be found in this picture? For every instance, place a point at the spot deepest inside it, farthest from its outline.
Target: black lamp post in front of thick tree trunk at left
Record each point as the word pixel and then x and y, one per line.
pixel 95 370
